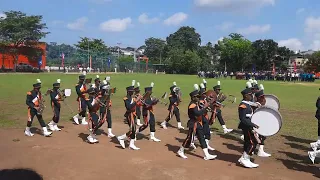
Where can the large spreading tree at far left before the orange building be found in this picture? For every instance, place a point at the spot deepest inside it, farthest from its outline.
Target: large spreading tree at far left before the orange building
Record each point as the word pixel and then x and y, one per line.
pixel 19 31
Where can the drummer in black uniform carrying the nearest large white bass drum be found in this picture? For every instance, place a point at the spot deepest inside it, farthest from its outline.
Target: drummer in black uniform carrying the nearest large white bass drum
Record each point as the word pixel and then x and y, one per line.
pixel 250 142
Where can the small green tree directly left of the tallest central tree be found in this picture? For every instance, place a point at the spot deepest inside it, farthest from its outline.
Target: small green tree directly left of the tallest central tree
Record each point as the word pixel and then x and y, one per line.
pixel 154 49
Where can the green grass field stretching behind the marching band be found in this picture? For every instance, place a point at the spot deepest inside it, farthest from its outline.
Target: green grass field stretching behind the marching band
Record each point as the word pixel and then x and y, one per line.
pixel 297 99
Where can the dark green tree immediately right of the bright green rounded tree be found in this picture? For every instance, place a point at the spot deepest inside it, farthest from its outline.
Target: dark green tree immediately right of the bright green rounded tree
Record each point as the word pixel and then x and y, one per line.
pixel 264 52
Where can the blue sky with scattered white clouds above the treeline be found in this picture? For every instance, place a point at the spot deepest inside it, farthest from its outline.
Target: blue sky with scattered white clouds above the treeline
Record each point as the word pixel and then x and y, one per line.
pixel 291 23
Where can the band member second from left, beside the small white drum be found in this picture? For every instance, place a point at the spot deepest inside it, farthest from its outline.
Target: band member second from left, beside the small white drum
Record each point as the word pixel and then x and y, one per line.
pixel 56 98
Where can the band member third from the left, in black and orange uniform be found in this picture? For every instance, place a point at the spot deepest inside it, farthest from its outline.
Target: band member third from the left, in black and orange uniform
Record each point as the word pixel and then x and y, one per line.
pixel 81 90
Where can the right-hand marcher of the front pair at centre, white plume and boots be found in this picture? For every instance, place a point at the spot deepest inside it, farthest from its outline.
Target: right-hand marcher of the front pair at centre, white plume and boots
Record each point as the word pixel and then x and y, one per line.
pixel 148 114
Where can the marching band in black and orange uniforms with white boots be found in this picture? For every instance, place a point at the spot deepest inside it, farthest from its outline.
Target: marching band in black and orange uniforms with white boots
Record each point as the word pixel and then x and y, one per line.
pixel 96 98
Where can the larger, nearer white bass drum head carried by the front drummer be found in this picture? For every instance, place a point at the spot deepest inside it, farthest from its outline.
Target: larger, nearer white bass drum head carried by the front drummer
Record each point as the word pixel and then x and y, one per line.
pixel 268 119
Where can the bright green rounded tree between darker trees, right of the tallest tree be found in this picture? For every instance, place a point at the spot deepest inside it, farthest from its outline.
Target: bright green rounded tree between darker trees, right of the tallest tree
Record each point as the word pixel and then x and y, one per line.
pixel 235 52
